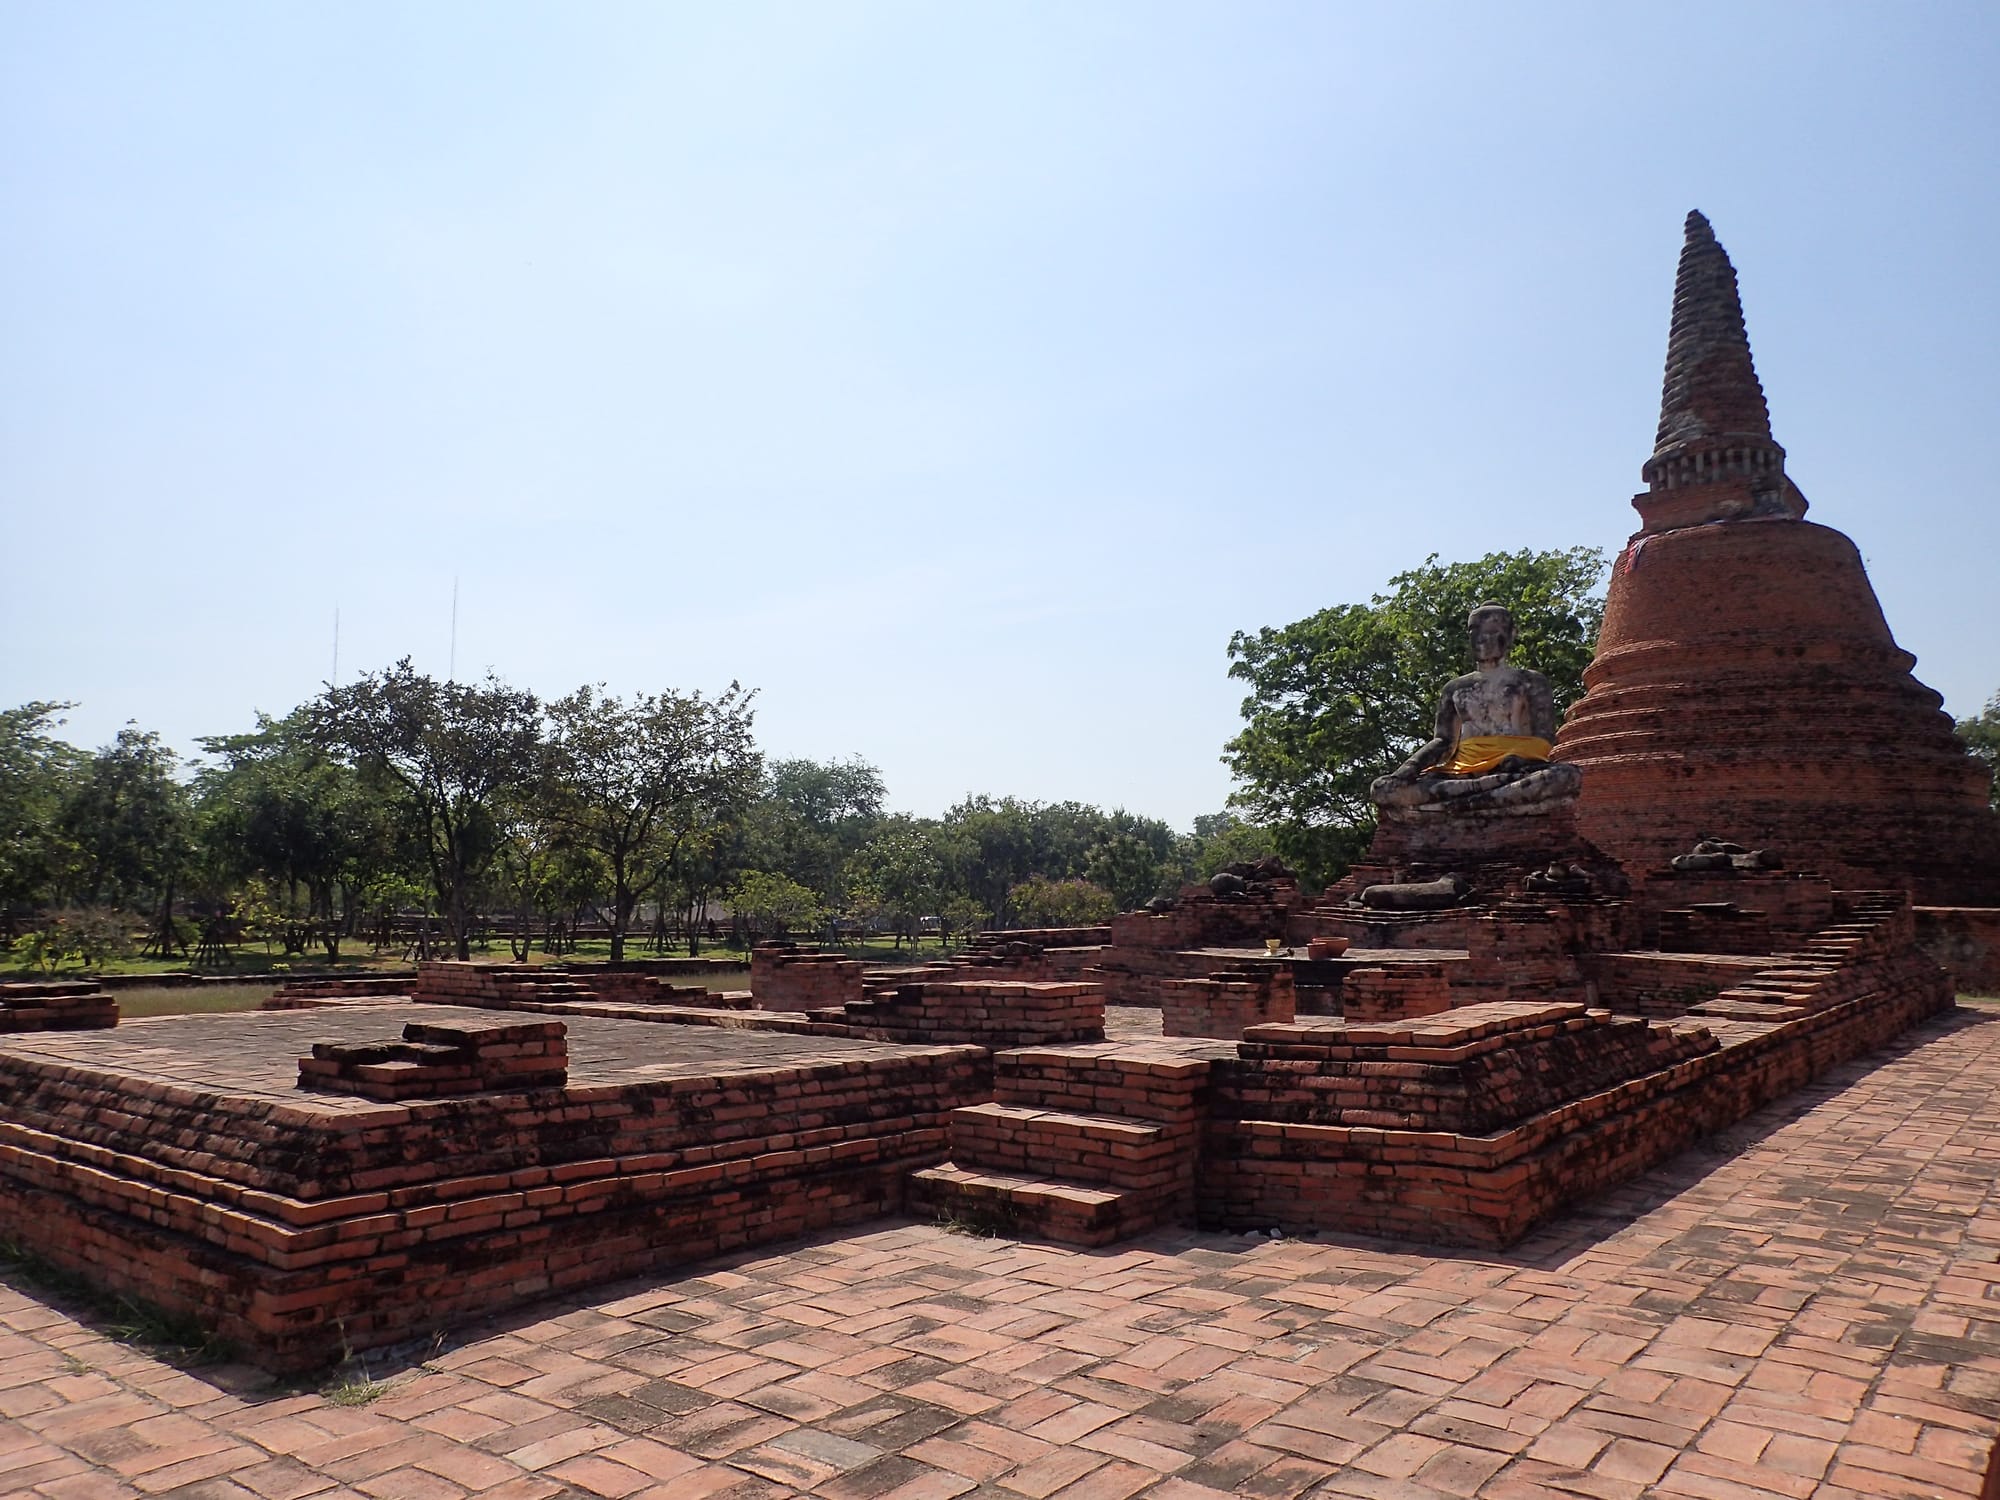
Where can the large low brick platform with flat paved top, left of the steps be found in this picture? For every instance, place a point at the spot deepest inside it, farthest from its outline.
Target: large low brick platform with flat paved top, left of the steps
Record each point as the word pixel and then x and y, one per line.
pixel 177 1161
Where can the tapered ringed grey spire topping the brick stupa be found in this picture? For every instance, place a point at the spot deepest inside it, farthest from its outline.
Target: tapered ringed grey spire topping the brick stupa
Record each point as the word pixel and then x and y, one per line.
pixel 1715 427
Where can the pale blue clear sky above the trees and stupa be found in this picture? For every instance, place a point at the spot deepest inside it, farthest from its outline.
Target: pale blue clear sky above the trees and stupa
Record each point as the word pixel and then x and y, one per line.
pixel 957 375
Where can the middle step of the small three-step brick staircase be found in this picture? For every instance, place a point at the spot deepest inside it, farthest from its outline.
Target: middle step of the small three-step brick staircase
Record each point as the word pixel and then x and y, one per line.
pixel 1097 1149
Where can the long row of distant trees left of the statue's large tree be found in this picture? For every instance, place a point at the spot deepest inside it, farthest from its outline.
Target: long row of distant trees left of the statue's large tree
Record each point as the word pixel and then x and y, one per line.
pixel 403 809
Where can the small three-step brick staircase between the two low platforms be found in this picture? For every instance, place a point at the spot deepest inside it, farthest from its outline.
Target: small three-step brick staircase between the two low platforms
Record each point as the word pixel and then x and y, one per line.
pixel 1085 1145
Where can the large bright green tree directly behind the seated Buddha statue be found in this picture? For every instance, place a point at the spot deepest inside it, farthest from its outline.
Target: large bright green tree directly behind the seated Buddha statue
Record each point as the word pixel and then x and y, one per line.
pixel 1349 693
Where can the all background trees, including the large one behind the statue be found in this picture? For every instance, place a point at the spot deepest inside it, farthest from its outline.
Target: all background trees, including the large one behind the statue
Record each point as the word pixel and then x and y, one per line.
pixel 463 809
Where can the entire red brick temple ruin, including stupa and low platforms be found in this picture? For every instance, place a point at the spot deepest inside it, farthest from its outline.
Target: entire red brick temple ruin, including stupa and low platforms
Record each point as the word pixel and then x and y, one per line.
pixel 1517 999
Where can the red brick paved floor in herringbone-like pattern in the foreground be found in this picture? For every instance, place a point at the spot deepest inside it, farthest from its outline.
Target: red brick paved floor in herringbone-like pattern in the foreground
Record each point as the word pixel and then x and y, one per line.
pixel 1813 1307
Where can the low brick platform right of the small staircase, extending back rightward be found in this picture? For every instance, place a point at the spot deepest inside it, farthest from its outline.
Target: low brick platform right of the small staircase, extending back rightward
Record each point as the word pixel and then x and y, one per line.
pixel 1323 1131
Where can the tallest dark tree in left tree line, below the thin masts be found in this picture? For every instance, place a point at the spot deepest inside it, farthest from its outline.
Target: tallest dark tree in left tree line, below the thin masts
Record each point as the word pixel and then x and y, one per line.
pixel 451 749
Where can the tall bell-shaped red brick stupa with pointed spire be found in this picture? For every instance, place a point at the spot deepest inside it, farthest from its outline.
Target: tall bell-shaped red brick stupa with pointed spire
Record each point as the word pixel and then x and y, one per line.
pixel 1747 685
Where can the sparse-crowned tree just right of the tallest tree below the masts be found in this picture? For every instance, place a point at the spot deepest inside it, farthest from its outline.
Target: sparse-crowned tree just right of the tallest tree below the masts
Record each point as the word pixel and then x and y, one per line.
pixel 633 781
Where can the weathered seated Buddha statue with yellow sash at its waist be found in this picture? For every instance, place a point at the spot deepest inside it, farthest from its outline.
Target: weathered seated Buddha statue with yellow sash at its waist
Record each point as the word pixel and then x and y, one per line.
pixel 1495 731
